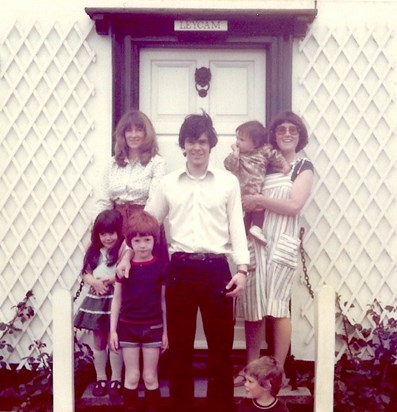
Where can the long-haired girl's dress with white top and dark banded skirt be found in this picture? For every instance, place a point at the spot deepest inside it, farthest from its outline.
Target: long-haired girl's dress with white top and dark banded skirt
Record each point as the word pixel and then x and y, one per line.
pixel 94 312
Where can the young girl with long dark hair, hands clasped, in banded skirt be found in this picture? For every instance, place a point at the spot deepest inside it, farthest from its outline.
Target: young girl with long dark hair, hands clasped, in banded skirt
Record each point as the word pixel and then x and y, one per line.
pixel 99 269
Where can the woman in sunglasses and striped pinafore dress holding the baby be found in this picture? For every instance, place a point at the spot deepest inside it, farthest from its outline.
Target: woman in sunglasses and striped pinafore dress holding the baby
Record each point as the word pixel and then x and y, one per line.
pixel 268 289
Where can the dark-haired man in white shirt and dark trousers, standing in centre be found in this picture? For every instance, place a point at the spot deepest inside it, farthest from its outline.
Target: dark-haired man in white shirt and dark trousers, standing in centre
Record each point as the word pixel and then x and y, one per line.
pixel 203 205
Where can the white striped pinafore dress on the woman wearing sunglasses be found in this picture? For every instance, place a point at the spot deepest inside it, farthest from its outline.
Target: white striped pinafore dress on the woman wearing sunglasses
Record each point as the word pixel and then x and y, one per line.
pixel 272 268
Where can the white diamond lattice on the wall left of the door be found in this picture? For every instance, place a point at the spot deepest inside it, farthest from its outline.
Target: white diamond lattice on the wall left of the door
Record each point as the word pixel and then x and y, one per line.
pixel 44 125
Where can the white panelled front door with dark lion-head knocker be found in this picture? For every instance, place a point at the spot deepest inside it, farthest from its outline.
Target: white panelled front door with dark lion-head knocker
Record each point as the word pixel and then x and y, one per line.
pixel 168 93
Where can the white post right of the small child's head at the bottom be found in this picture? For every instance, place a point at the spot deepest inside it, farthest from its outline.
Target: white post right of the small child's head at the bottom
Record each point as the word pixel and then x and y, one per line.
pixel 325 349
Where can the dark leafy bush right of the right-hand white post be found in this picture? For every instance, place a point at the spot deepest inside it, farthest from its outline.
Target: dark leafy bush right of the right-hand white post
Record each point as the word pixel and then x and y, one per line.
pixel 363 375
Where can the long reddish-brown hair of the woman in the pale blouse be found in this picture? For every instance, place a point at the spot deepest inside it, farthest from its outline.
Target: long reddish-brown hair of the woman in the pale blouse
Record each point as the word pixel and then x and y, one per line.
pixel 148 148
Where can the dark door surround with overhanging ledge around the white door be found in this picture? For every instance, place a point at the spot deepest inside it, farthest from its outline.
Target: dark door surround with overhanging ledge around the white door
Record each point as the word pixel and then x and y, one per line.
pixel 270 30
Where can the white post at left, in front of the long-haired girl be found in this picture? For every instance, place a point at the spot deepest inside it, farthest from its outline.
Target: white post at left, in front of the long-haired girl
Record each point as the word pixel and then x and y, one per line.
pixel 63 356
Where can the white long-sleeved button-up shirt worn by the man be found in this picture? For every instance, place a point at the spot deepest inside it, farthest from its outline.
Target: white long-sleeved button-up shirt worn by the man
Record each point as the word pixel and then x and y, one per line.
pixel 204 214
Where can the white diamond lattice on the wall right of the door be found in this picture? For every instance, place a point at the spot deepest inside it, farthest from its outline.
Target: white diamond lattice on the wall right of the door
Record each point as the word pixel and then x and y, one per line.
pixel 348 84
